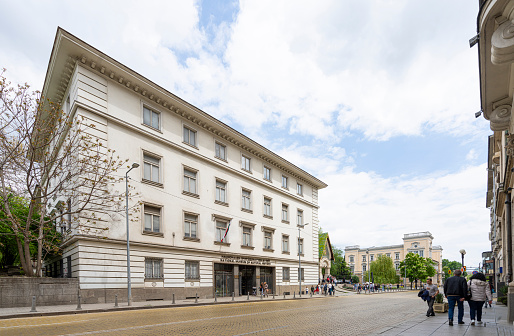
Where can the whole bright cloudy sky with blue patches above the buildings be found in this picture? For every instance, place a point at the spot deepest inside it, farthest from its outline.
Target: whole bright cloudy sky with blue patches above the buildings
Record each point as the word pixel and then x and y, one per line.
pixel 375 97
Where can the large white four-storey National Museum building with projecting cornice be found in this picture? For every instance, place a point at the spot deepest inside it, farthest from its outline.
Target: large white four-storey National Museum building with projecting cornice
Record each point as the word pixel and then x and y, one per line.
pixel 197 176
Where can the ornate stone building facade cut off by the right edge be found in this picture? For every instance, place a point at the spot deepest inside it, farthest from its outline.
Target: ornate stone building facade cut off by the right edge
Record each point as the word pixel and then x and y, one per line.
pixel 495 44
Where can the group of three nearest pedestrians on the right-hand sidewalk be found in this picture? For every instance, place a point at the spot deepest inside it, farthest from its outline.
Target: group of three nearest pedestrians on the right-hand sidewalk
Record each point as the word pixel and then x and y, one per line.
pixel 477 291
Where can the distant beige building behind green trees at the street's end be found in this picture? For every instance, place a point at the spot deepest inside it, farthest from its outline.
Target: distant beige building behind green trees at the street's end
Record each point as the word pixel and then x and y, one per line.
pixel 358 259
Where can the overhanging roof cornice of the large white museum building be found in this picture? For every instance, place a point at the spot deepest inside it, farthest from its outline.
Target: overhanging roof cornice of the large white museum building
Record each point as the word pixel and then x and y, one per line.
pixel 115 72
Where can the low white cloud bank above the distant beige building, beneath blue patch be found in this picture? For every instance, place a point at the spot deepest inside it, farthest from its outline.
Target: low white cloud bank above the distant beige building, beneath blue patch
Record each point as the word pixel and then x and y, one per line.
pixel 369 210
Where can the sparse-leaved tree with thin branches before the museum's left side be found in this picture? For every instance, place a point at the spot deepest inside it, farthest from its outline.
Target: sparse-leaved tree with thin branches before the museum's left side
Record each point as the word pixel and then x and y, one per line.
pixel 51 158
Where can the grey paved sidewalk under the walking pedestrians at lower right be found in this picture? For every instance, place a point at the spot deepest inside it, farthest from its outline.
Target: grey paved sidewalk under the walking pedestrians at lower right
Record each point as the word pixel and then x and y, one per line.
pixel 495 323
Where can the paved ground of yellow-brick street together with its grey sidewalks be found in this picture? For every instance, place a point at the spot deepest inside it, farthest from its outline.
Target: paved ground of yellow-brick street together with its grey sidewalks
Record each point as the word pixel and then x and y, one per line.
pixel 397 313
